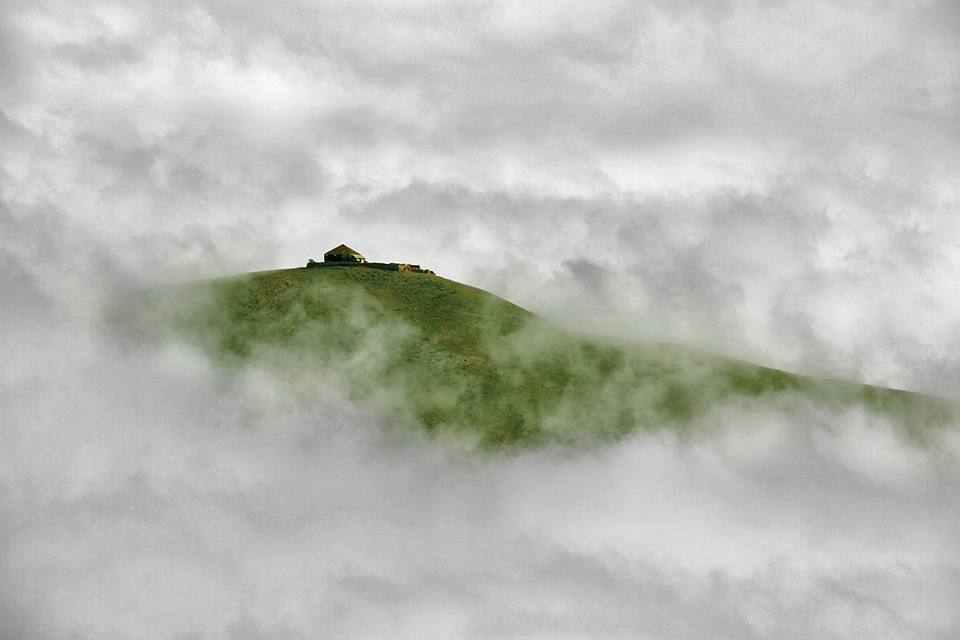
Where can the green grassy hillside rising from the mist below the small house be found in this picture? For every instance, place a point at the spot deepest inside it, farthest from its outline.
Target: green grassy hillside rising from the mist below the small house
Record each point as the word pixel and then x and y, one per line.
pixel 458 362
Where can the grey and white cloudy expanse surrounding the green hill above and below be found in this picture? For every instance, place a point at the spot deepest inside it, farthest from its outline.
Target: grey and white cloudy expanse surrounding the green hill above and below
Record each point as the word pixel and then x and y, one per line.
pixel 775 181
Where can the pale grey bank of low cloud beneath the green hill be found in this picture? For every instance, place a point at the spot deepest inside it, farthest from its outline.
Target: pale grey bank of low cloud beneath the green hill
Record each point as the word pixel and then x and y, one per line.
pixel 138 502
